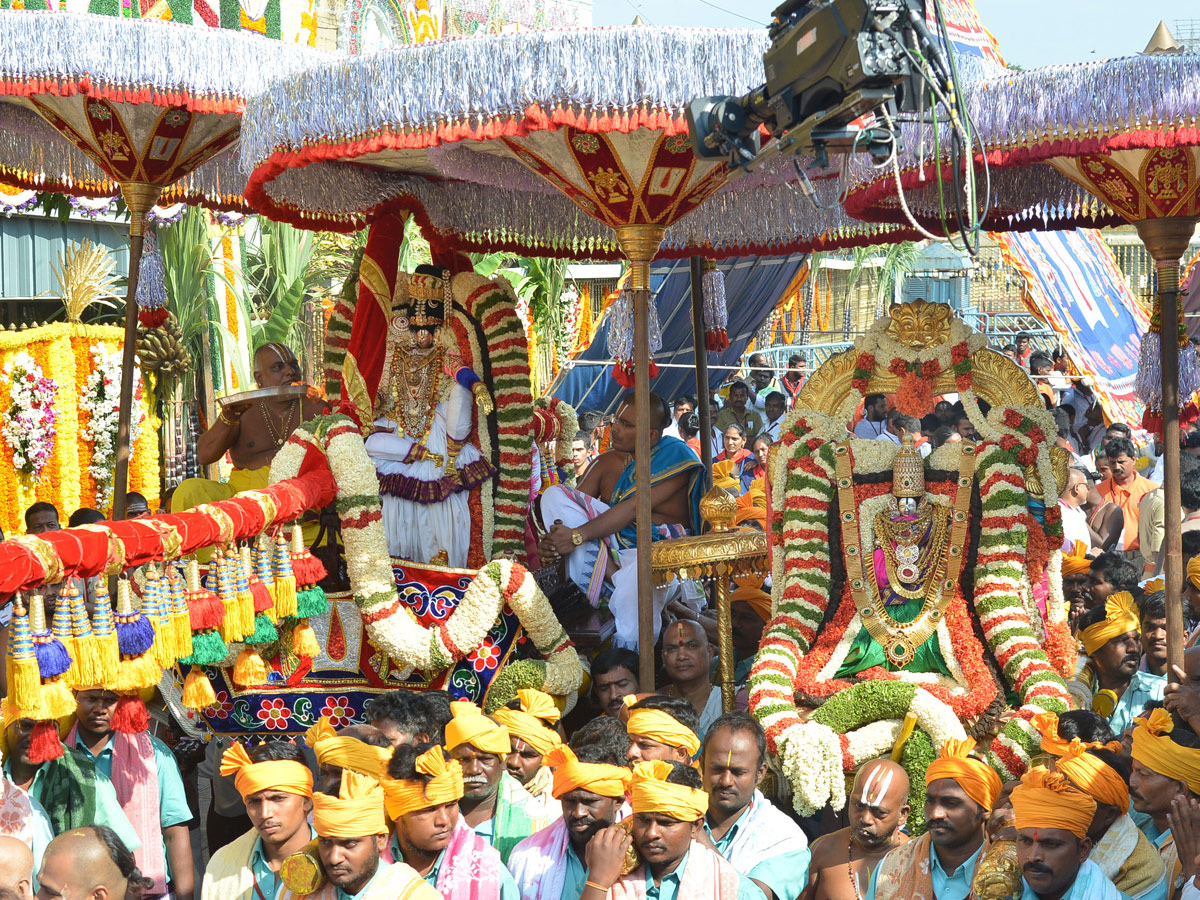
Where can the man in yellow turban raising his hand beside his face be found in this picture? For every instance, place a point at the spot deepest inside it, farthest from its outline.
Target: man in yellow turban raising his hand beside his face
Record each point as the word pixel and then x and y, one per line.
pixel 669 818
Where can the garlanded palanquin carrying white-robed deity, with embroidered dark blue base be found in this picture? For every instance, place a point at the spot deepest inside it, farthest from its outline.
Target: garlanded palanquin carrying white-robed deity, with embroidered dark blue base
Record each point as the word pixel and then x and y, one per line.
pixel 433 452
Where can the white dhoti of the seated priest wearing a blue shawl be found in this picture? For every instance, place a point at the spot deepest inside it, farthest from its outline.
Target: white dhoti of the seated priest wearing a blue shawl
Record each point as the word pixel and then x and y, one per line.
pixel 589 566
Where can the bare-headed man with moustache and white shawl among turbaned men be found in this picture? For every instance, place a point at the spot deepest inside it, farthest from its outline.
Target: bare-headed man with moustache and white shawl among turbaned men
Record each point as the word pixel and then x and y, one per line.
pixel 761 843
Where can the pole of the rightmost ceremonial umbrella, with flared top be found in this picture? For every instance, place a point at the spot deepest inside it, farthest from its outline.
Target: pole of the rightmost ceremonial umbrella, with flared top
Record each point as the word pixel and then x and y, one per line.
pixel 1167 239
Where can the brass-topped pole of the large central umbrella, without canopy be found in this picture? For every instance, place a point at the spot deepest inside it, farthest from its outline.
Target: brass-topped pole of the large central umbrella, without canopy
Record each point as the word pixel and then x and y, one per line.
pixel 641 244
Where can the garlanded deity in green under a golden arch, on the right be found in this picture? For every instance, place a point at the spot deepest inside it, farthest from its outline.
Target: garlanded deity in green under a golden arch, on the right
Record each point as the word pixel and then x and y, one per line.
pixel 913 596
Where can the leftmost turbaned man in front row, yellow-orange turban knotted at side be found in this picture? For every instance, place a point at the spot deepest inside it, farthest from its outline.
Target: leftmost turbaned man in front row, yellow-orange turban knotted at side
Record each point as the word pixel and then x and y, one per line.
pixel 277 787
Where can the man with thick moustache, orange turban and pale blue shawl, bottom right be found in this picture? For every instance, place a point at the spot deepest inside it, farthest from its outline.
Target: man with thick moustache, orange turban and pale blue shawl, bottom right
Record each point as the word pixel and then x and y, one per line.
pixel 1053 820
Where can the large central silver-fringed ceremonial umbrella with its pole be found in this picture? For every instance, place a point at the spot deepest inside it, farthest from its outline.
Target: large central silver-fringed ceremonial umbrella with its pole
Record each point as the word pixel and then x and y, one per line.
pixel 565 143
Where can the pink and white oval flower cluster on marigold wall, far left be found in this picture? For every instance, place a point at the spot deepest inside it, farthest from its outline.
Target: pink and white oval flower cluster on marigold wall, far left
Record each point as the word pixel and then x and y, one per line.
pixel 31 422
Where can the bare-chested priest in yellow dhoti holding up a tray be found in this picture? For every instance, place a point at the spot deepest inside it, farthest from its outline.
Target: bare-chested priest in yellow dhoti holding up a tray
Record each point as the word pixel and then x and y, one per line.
pixel 251 433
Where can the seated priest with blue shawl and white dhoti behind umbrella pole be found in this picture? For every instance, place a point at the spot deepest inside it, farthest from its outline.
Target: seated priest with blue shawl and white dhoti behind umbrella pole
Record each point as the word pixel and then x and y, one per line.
pixel 592 527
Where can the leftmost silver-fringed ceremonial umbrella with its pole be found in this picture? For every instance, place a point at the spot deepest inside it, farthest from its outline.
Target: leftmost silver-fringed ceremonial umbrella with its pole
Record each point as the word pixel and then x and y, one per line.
pixel 147 104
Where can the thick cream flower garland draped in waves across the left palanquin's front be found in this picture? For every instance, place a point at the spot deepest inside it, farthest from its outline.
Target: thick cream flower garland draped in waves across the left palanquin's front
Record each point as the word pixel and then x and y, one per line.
pixel 392 626
